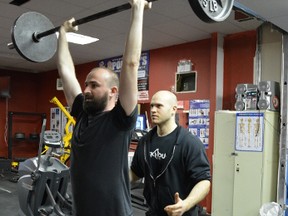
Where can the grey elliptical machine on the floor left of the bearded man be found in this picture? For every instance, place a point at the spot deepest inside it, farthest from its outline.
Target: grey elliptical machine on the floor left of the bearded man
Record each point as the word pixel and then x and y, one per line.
pixel 42 186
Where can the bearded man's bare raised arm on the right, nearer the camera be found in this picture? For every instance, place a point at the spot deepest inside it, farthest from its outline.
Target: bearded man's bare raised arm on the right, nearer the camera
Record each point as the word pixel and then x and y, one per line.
pixel 128 90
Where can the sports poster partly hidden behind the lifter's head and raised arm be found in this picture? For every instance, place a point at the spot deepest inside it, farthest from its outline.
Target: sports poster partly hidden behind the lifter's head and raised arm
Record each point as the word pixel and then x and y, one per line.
pixel 115 64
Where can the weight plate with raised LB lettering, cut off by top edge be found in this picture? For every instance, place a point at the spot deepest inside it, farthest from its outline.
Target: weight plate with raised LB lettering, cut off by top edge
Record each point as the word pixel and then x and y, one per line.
pixel 212 10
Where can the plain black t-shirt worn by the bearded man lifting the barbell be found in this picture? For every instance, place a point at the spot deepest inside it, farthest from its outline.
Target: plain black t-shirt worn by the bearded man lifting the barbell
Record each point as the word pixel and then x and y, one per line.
pixel 99 161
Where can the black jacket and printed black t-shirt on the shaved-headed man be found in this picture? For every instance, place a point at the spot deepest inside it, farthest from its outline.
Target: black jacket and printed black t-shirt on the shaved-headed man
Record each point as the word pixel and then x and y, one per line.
pixel 187 165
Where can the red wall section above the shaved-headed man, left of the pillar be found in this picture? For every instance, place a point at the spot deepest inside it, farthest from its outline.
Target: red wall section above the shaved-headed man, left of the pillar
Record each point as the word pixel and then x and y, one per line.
pixel 163 66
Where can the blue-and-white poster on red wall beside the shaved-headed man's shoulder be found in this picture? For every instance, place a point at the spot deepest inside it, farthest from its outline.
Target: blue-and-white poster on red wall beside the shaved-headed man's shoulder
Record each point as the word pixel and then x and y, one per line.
pixel 199 119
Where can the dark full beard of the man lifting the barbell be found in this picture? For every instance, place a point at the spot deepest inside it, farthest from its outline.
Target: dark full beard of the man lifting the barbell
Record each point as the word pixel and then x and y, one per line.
pixel 93 106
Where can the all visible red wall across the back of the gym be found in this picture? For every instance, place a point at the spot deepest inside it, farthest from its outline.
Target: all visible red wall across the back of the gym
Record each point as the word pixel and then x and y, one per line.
pixel 32 92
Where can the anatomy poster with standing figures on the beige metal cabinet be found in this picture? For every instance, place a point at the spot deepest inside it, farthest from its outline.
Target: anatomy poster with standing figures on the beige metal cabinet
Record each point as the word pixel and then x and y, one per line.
pixel 249 132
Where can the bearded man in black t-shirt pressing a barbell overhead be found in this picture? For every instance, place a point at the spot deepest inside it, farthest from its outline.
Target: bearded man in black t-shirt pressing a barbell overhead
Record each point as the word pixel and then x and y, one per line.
pixel 105 116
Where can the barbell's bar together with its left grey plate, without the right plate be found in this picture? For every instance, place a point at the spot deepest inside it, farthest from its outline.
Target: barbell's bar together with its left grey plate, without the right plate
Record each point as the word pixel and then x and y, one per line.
pixel 34 42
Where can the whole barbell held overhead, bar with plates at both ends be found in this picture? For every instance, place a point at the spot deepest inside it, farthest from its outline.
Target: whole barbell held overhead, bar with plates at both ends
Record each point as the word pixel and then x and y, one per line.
pixel 33 34
